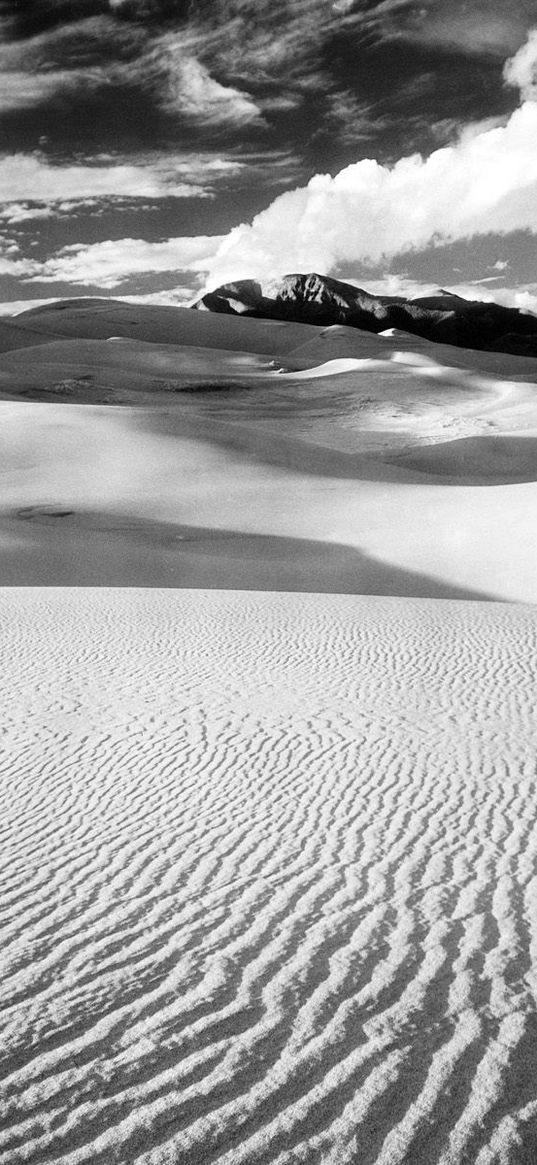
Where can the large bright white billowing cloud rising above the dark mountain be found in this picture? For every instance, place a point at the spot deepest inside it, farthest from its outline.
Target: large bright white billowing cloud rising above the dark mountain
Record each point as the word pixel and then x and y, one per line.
pixel 486 182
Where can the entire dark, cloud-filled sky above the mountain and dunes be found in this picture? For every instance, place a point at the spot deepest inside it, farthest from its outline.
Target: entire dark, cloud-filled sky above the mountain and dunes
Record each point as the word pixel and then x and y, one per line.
pixel 156 149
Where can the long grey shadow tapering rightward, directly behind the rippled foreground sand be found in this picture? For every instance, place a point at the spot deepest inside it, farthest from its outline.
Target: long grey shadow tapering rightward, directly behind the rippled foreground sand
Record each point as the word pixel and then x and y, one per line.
pixel 58 547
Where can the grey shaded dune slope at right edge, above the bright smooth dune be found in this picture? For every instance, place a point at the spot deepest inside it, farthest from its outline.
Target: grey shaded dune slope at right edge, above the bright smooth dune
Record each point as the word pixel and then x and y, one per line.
pixel 479 461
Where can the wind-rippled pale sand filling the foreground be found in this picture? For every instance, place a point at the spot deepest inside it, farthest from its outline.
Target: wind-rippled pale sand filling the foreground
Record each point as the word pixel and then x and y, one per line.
pixel 270 881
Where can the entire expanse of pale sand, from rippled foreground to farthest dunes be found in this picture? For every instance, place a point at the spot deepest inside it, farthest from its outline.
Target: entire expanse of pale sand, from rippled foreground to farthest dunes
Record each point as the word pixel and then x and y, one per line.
pixel 268 769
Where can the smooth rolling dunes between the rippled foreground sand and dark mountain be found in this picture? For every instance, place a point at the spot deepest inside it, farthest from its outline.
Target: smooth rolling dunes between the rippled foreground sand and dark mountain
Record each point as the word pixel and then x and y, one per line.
pixel 272 456
